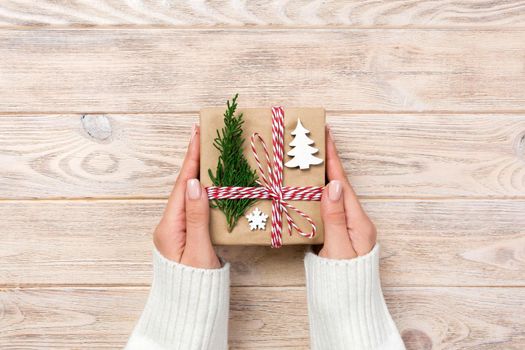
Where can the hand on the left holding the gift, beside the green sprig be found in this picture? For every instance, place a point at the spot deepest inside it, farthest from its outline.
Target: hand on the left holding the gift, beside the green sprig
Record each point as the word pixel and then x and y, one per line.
pixel 183 233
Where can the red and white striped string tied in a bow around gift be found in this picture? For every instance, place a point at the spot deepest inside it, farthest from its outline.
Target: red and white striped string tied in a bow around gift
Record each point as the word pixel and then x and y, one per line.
pixel 272 185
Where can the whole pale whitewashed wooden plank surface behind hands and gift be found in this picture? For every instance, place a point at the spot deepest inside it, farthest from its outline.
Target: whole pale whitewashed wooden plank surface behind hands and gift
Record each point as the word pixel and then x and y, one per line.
pixel 427 103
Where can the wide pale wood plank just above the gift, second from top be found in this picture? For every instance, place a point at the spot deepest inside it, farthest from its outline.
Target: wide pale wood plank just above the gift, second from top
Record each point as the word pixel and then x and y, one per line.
pixel 152 70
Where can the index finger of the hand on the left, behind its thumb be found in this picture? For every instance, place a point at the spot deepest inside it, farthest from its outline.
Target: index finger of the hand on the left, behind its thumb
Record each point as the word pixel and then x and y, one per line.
pixel 174 211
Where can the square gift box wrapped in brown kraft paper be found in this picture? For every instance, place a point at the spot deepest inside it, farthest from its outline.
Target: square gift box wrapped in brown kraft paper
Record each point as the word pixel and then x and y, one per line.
pixel 303 166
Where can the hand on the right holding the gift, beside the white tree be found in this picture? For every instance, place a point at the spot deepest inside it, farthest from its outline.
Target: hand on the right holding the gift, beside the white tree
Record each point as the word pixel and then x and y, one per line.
pixel 348 231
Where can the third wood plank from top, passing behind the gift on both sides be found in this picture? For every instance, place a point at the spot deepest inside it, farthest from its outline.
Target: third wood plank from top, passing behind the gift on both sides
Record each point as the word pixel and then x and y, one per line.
pixel 138 156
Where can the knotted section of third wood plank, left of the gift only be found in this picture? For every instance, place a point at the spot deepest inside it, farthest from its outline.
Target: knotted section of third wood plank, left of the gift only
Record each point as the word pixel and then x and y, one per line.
pixel 50 156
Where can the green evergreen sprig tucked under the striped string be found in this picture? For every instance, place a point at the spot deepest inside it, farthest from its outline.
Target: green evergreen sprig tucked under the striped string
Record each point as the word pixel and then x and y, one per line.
pixel 232 167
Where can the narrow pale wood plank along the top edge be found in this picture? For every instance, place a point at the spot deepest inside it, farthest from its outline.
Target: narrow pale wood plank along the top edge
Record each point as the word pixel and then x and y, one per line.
pixel 423 13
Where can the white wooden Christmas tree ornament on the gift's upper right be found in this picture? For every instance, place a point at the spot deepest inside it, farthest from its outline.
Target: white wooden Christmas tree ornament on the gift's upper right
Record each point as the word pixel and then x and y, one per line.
pixel 302 152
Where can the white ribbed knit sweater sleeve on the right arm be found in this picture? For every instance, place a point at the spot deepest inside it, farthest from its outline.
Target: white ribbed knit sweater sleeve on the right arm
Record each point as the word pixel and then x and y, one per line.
pixel 346 305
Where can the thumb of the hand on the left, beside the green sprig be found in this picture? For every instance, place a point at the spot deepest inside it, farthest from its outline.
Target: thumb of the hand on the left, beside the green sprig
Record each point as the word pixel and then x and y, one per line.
pixel 198 251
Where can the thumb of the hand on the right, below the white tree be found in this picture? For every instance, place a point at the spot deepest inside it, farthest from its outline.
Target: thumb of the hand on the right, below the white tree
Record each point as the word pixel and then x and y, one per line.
pixel 337 243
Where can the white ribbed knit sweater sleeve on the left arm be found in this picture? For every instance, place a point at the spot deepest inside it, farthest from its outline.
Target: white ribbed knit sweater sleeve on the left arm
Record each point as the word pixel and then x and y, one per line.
pixel 187 309
